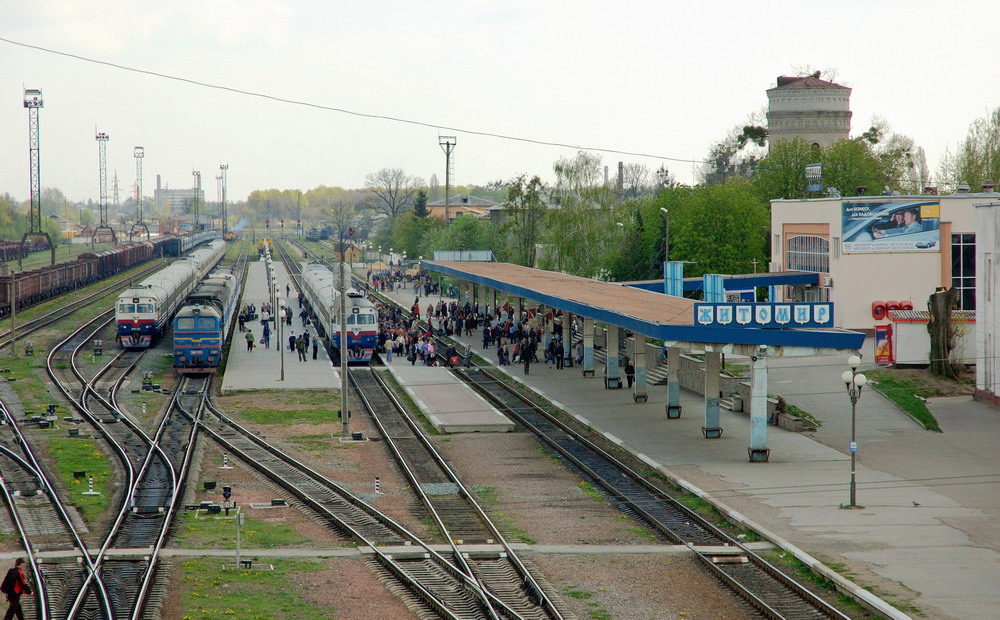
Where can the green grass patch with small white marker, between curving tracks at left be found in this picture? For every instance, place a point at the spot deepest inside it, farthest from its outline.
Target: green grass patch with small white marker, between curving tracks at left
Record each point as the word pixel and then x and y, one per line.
pixel 71 455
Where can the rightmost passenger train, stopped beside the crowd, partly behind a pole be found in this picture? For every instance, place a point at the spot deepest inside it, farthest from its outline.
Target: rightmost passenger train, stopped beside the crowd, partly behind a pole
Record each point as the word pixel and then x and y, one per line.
pixel 320 288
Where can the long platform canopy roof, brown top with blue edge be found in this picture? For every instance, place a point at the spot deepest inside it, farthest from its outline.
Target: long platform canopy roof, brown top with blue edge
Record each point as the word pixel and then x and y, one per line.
pixel 655 315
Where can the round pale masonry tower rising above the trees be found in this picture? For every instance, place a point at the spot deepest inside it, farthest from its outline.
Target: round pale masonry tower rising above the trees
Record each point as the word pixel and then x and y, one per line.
pixel 809 108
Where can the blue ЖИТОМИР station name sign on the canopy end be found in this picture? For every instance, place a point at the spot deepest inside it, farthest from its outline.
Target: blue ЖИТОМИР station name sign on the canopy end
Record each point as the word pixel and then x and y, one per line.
pixel 765 315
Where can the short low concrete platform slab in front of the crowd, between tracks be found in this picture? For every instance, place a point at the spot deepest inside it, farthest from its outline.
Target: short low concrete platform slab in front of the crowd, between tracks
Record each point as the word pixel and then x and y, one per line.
pixel 450 405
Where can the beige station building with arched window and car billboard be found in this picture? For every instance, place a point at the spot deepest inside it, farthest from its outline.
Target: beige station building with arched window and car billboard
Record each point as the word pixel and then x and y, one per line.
pixel 872 253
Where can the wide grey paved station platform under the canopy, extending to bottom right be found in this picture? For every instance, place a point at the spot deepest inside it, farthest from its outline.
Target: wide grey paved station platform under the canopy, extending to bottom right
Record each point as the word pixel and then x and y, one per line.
pixel 941 556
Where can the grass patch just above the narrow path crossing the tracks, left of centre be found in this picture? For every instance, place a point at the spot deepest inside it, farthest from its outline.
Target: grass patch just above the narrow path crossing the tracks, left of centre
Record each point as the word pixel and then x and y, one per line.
pixel 199 531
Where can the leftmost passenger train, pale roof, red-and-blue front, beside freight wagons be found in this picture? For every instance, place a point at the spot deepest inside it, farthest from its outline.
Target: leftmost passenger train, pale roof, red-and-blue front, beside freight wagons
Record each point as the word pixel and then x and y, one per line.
pixel 142 312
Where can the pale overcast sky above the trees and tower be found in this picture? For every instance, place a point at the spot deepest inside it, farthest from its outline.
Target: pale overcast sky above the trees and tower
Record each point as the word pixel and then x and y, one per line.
pixel 661 78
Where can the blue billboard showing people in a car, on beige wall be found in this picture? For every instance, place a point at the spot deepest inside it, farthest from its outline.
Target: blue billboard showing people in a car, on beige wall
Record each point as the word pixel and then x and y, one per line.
pixel 891 226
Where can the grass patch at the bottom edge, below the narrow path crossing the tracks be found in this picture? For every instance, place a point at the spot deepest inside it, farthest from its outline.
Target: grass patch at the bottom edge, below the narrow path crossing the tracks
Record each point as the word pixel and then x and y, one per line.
pixel 213 593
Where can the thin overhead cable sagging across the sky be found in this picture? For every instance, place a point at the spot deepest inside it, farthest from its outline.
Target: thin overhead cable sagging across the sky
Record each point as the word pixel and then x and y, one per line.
pixel 394 119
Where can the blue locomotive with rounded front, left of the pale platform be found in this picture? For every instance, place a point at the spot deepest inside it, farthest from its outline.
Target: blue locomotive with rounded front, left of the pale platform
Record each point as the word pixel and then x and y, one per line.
pixel 201 325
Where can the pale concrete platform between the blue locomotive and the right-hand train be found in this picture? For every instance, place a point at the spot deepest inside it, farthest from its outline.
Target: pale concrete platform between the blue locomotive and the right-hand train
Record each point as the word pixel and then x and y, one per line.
pixel 260 369
